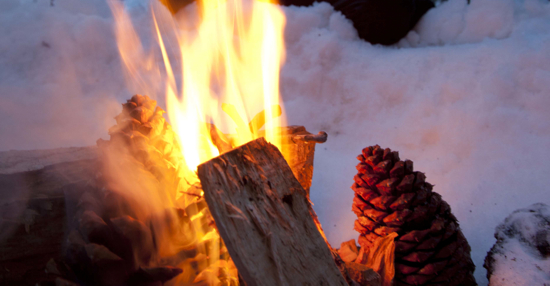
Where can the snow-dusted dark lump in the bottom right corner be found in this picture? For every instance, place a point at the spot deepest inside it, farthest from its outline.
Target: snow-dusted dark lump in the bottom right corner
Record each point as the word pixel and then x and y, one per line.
pixel 522 251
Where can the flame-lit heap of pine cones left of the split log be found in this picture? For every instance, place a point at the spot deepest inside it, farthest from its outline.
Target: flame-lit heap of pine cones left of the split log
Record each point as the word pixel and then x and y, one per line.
pixel 147 223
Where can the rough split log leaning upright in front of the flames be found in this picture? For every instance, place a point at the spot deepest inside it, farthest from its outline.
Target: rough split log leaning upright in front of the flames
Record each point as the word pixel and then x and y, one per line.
pixel 265 218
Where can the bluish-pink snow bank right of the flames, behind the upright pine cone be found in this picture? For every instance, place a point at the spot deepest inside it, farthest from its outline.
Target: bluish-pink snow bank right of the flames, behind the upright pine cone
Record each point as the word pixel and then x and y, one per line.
pixel 466 101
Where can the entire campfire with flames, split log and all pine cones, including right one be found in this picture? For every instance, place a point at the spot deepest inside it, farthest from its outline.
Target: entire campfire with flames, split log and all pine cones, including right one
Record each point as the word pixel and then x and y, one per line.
pixel 214 188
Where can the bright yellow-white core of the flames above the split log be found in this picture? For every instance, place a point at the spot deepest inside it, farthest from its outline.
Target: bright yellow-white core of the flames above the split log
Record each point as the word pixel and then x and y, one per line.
pixel 242 58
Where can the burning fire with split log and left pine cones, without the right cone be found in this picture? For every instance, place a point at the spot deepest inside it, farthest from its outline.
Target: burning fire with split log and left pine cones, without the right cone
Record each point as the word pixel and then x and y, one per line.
pixel 155 218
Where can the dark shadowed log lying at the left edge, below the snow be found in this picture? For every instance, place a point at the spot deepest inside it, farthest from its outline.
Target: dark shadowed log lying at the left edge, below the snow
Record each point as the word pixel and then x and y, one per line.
pixel 34 218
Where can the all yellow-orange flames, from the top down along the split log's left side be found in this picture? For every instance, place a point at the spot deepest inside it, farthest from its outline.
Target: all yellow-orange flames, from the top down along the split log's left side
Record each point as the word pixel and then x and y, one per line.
pixel 218 73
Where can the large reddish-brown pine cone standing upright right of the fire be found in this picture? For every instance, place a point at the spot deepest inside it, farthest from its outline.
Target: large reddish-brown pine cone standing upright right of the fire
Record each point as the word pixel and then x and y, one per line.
pixel 430 248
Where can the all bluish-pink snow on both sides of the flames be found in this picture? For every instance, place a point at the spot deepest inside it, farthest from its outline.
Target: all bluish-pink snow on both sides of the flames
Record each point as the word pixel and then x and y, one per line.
pixel 465 96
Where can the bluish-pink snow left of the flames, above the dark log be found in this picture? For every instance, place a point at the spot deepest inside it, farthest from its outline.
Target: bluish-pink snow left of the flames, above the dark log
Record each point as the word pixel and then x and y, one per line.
pixel 59 73
